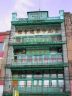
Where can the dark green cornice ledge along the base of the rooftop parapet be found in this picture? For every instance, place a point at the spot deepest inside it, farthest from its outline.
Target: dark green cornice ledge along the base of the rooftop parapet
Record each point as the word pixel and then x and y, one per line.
pixel 20 21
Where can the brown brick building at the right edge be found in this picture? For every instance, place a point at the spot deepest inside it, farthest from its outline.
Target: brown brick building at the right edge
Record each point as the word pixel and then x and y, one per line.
pixel 68 28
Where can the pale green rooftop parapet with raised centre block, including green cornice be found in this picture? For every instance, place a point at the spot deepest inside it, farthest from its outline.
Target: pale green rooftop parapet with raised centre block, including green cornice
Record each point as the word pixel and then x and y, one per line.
pixel 37 17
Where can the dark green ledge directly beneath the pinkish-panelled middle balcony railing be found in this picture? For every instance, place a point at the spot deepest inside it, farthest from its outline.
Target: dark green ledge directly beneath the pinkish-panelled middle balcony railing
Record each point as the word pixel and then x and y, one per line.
pixel 36 67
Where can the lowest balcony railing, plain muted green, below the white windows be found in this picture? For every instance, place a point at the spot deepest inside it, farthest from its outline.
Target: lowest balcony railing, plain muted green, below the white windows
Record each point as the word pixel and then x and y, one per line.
pixel 39 89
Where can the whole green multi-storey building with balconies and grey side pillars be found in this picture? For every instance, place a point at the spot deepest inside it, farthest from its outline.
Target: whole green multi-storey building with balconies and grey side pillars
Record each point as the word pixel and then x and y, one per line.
pixel 37 63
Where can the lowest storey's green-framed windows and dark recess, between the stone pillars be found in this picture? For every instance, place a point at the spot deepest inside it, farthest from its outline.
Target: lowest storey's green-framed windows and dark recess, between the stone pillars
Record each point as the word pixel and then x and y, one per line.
pixel 39 79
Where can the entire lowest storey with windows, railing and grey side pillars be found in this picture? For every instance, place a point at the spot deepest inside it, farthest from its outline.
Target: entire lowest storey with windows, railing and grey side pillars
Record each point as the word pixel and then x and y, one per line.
pixel 50 82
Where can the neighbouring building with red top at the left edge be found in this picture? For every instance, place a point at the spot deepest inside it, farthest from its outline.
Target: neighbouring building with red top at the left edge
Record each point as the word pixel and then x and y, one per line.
pixel 3 54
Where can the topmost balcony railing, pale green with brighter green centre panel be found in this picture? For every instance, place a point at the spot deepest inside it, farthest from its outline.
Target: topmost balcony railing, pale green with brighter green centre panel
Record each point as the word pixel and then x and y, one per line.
pixel 45 39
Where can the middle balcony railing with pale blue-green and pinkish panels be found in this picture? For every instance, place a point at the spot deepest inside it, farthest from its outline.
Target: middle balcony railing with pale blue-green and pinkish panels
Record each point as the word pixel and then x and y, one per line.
pixel 50 59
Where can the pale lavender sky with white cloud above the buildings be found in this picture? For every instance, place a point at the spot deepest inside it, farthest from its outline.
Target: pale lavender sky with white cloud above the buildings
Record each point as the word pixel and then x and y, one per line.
pixel 22 6
